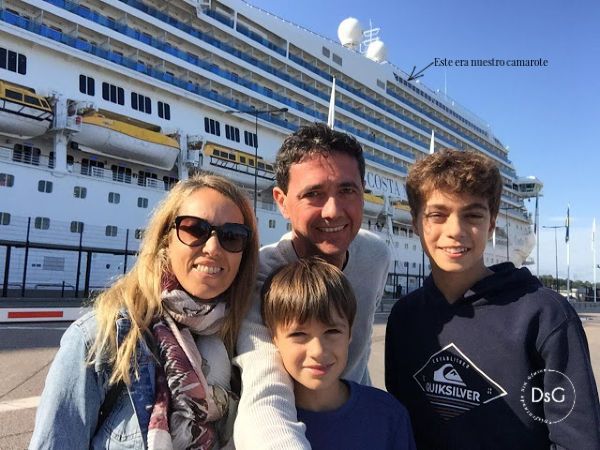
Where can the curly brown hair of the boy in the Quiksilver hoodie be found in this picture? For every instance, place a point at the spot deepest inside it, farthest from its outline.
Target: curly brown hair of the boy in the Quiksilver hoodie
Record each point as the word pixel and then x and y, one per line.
pixel 454 172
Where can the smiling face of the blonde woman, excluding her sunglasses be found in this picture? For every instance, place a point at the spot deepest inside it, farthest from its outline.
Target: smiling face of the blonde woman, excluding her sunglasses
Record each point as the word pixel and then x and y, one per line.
pixel 207 270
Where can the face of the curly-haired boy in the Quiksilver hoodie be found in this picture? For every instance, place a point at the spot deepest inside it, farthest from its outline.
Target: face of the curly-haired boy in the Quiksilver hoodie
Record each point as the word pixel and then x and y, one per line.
pixel 454 229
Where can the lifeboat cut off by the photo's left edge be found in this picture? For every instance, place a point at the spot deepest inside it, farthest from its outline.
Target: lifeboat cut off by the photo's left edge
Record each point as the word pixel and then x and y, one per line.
pixel 23 113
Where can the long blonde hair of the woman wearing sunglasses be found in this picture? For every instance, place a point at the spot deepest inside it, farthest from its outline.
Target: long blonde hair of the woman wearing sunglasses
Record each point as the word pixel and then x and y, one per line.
pixel 138 292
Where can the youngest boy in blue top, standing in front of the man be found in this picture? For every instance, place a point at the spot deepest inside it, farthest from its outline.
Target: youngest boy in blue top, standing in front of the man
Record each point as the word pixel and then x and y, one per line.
pixel 309 307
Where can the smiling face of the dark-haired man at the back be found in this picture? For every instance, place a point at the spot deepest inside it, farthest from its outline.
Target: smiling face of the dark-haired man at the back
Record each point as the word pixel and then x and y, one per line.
pixel 324 203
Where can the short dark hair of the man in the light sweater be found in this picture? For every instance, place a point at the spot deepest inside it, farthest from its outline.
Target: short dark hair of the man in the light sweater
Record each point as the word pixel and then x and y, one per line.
pixel 317 138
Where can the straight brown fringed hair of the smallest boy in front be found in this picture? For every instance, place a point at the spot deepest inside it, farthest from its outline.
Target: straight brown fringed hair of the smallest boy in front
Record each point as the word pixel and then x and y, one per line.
pixel 309 288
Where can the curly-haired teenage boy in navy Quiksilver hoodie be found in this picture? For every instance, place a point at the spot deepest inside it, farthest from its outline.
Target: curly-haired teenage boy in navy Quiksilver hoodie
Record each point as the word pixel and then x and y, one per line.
pixel 483 357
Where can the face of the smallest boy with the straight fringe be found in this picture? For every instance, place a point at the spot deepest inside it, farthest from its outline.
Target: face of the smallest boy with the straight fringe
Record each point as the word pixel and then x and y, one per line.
pixel 314 354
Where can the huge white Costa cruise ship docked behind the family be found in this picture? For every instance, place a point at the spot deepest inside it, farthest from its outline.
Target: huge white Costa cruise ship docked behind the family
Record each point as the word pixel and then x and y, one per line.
pixel 105 104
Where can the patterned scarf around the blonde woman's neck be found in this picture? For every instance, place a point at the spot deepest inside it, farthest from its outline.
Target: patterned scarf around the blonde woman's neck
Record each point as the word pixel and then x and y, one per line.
pixel 187 409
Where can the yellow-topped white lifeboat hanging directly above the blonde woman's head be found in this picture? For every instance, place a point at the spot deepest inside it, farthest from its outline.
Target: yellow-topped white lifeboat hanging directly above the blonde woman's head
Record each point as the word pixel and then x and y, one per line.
pixel 103 135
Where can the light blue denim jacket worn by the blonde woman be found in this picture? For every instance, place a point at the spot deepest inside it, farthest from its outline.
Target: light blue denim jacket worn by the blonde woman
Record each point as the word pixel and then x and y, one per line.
pixel 74 392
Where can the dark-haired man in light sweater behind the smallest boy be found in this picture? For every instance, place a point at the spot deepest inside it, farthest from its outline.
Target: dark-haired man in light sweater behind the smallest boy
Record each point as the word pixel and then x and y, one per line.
pixel 320 186
